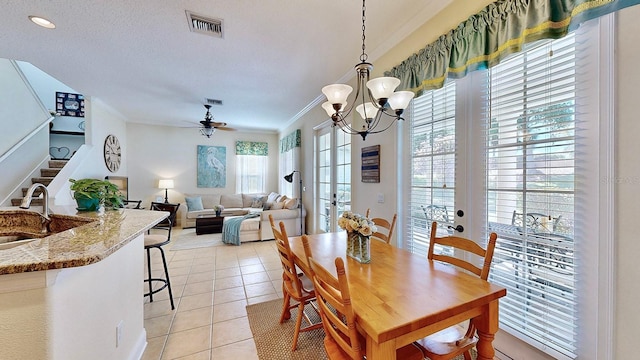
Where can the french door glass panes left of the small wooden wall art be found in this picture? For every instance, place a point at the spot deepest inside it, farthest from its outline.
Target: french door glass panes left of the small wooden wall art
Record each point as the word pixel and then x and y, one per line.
pixel 333 181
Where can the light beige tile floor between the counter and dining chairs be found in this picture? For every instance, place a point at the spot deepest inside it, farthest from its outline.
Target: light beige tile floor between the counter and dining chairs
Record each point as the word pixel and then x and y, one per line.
pixel 211 287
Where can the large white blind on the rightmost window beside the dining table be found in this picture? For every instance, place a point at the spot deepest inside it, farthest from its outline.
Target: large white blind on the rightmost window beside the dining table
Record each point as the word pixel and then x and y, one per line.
pixel 530 141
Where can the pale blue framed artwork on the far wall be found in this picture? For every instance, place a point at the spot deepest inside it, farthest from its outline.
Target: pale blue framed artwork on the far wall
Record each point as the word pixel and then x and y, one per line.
pixel 212 166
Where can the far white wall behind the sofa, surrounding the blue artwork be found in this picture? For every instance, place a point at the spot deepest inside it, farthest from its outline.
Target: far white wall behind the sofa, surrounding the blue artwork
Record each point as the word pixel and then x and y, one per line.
pixel 164 152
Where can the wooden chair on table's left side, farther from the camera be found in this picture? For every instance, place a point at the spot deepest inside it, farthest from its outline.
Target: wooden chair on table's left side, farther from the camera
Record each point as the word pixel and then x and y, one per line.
pixel 295 285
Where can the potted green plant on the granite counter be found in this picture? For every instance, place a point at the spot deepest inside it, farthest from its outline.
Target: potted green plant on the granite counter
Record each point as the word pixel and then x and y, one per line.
pixel 91 193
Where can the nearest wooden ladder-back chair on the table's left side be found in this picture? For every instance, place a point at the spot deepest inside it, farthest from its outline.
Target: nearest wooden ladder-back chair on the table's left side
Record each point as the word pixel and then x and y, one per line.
pixel 342 340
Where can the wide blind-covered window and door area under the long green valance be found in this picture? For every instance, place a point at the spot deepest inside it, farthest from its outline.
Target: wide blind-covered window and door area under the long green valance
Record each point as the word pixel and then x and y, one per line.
pixel 535 122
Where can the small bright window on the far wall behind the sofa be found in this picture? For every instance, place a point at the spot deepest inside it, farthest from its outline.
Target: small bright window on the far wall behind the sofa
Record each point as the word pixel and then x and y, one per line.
pixel 251 173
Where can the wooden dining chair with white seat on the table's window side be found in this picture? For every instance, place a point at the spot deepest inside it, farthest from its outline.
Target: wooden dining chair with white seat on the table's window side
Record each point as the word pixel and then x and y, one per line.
pixel 453 341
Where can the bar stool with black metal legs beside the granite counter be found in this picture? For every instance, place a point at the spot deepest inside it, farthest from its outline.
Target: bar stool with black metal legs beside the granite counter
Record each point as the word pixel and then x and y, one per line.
pixel 157 241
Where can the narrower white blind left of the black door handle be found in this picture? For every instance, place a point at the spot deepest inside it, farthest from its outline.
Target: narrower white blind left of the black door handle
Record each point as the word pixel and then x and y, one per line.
pixel 432 180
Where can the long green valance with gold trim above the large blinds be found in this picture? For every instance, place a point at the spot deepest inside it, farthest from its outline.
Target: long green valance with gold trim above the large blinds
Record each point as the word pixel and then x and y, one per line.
pixel 500 29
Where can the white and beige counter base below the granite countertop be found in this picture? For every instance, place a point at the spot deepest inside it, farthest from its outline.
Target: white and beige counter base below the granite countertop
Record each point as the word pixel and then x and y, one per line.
pixel 72 313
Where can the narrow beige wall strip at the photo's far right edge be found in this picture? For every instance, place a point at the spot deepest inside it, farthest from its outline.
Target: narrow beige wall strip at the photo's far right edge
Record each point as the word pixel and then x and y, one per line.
pixel 627 182
